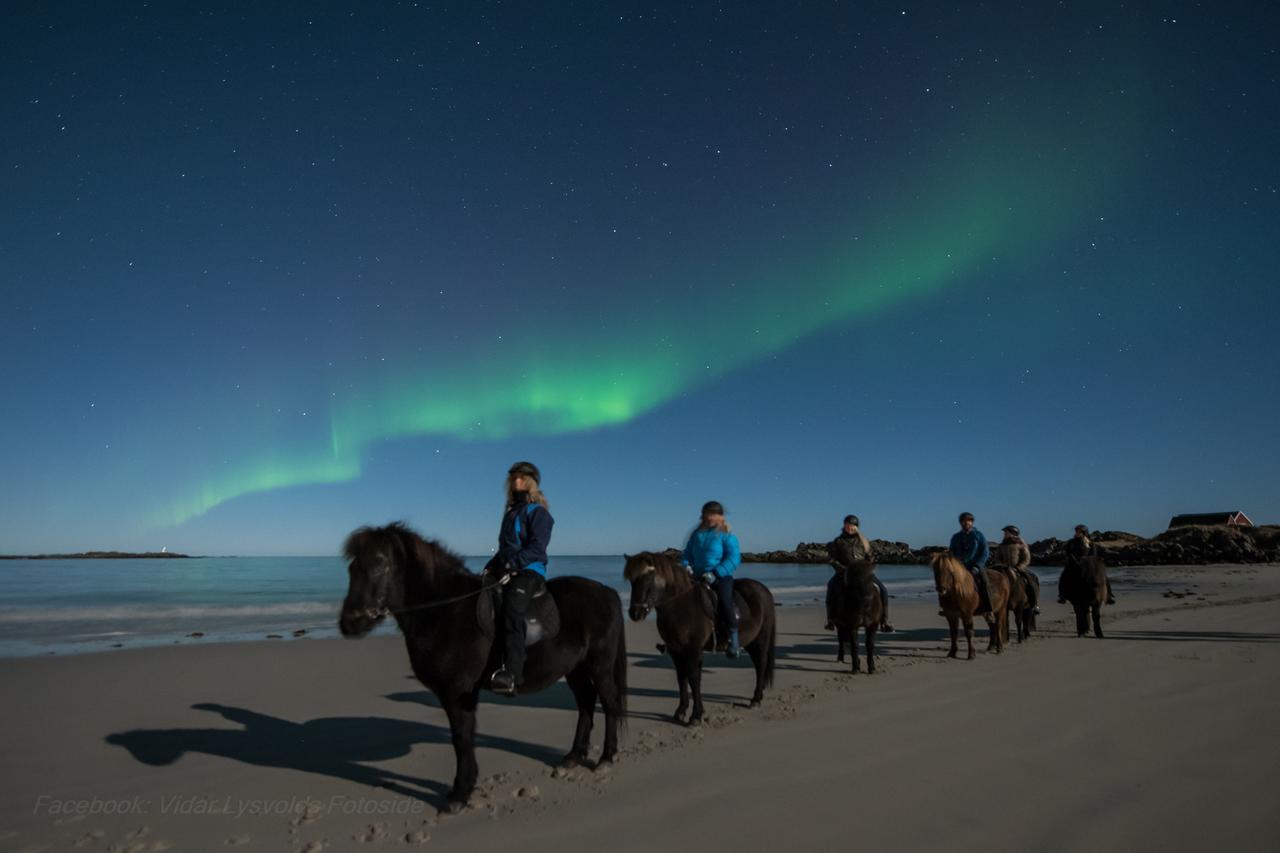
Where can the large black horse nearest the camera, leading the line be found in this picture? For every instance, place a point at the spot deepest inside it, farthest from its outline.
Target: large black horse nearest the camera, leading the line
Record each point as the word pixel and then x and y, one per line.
pixel 446 615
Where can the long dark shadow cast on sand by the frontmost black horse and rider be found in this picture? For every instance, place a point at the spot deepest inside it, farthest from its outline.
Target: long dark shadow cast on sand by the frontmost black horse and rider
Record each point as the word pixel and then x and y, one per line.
pixel 337 747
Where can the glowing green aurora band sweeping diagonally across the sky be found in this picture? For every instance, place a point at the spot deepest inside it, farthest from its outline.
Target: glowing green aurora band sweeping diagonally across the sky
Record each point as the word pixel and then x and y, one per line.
pixel 953 217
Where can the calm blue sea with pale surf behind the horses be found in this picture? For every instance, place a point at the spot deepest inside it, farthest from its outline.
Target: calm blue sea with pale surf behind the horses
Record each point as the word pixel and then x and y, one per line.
pixel 72 606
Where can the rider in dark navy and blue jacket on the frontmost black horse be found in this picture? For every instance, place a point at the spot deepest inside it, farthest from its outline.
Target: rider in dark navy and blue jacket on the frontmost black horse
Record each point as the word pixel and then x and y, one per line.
pixel 527 531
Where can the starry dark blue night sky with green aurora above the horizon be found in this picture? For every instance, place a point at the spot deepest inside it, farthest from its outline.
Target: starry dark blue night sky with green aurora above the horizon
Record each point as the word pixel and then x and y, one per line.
pixel 275 271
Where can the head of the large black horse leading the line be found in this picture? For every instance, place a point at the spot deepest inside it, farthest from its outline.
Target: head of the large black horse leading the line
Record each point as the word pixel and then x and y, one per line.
pixel 376 568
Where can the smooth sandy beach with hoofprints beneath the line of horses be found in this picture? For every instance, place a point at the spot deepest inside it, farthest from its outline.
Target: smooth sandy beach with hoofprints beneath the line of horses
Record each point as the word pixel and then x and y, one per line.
pixel 1159 737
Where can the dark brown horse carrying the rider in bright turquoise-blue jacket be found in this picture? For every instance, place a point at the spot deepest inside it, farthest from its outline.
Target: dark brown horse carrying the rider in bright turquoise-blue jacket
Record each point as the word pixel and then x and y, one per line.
pixel 687 622
